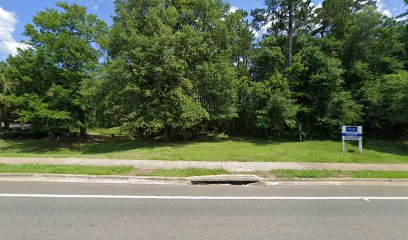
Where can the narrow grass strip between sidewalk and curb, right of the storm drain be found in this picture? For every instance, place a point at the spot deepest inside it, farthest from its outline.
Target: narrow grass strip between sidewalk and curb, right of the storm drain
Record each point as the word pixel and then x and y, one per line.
pixel 338 174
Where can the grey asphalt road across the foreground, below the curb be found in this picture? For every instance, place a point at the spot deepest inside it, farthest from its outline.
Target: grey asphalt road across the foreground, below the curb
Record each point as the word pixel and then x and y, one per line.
pixel 109 211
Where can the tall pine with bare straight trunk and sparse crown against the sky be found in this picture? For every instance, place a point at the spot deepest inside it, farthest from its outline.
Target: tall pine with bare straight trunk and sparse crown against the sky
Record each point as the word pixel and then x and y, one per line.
pixel 284 17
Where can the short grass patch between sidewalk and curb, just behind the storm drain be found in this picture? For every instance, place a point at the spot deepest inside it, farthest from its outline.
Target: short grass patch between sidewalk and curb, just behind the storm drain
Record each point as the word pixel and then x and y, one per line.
pixel 185 172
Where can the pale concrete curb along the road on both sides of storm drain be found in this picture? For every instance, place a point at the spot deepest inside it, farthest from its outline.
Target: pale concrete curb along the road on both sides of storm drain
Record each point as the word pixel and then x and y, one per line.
pixel 68 178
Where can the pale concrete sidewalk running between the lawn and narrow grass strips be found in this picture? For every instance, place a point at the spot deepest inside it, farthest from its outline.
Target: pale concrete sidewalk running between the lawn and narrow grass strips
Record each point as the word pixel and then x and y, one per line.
pixel 230 166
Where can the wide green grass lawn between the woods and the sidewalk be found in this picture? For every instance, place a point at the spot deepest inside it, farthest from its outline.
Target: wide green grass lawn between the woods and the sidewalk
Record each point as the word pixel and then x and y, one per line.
pixel 210 150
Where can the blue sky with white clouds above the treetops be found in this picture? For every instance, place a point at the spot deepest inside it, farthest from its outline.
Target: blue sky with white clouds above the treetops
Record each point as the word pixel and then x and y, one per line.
pixel 14 14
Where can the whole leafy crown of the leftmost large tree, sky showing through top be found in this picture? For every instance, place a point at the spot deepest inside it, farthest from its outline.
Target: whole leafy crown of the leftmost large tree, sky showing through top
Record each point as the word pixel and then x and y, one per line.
pixel 67 46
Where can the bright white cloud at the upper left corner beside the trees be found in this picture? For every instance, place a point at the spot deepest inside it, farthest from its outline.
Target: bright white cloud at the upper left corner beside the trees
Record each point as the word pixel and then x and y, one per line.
pixel 8 22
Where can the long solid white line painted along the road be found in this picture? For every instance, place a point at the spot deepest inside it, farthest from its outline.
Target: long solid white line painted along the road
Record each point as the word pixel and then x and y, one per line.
pixel 10 195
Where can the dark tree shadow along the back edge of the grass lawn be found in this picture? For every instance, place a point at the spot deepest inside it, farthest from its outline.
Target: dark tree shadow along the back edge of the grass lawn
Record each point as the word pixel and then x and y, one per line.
pixel 106 146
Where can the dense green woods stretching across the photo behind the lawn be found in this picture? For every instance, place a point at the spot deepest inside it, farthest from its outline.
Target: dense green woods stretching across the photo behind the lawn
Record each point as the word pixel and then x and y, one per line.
pixel 180 68
